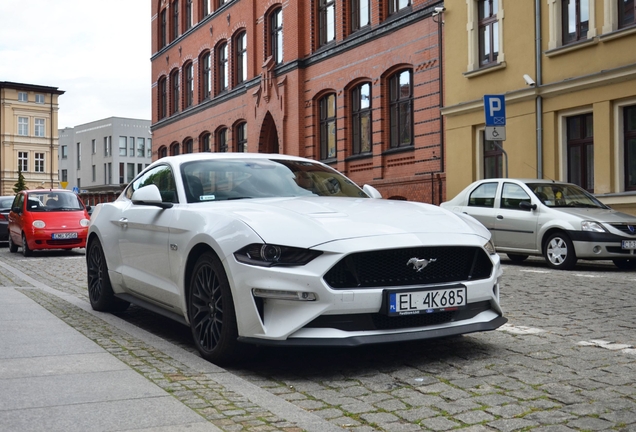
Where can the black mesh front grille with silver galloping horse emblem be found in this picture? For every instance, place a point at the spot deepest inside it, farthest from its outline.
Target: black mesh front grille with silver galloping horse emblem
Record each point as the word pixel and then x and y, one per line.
pixel 385 268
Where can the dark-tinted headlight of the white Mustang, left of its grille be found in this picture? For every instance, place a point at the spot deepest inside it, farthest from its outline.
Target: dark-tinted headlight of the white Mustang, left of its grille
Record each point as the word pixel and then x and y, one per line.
pixel 268 255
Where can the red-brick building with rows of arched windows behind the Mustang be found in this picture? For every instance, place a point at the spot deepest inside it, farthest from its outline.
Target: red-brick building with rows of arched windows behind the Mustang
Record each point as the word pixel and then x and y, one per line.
pixel 355 84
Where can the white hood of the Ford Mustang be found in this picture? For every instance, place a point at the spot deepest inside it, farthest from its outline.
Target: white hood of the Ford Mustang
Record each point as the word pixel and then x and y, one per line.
pixel 312 221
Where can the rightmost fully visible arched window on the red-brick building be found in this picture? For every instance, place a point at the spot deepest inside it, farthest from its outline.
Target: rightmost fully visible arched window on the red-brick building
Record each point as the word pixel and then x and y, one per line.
pixel 401 109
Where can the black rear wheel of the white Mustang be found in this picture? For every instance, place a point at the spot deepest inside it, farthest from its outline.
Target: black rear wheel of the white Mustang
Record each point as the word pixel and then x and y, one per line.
pixel 100 291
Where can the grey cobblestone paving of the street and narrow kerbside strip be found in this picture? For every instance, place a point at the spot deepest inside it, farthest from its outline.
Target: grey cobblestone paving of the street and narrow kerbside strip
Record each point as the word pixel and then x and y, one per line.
pixel 566 360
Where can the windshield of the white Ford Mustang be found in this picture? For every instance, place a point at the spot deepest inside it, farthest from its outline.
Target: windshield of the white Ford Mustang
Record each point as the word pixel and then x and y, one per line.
pixel 227 179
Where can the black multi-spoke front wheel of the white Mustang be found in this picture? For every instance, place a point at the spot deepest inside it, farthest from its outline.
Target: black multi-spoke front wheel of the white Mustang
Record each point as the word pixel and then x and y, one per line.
pixel 211 311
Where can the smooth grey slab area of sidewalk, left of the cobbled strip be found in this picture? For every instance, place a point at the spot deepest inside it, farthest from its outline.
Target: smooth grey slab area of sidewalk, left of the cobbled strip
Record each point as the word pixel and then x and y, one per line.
pixel 54 378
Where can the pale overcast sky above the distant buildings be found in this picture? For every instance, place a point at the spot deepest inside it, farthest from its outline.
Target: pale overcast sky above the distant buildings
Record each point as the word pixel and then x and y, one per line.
pixel 97 52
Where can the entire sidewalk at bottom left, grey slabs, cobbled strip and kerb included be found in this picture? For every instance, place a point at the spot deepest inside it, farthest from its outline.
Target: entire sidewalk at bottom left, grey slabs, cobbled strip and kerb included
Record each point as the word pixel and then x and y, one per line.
pixel 65 367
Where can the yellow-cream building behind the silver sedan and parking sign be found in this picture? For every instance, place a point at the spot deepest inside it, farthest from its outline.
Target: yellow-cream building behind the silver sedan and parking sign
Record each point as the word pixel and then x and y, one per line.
pixel 568 73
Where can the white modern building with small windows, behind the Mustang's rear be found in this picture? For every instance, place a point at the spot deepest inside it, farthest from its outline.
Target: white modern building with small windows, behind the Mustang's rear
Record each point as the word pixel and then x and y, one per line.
pixel 99 158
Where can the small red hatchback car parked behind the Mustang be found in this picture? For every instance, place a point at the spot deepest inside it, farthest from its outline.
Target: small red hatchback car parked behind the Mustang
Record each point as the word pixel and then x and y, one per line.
pixel 47 219
